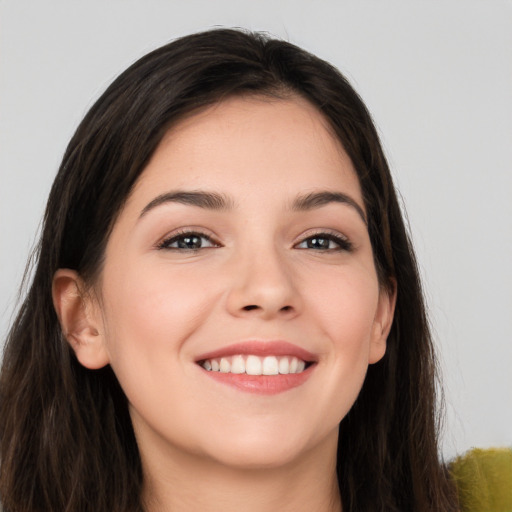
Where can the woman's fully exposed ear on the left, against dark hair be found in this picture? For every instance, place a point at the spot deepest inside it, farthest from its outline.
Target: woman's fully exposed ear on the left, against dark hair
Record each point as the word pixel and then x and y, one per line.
pixel 80 319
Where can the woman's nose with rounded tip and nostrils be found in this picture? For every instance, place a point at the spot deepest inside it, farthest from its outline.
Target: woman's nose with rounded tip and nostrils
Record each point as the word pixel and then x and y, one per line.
pixel 263 285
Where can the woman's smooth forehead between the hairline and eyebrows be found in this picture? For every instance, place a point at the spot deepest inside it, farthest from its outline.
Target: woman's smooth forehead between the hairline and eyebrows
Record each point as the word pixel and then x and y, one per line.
pixel 257 143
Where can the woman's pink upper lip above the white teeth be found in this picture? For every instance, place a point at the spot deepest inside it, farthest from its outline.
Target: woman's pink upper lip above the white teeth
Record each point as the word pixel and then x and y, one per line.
pixel 260 348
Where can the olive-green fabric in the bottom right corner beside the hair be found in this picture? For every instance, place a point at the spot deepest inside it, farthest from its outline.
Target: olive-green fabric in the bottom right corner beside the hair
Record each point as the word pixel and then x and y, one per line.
pixel 484 480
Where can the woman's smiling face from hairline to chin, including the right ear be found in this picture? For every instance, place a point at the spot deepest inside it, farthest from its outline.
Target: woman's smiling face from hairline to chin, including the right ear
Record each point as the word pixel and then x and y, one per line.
pixel 240 302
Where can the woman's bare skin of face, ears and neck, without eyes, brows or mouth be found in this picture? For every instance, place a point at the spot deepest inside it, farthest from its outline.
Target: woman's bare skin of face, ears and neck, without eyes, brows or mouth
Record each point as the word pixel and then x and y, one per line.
pixel 205 445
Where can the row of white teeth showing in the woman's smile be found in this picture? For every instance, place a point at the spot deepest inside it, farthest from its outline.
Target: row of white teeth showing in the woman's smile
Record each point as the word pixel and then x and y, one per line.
pixel 255 365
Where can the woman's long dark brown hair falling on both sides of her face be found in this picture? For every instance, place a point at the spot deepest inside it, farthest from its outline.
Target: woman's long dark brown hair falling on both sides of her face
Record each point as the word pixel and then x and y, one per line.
pixel 66 438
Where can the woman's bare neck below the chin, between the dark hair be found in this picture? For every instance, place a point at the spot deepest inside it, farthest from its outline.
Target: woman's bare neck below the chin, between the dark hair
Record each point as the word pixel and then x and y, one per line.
pixel 183 483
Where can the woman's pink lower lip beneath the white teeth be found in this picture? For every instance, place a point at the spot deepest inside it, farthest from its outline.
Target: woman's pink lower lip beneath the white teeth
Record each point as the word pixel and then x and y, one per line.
pixel 262 384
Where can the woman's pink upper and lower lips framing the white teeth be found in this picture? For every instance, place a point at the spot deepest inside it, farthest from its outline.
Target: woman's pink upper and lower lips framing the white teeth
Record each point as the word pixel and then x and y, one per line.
pixel 261 384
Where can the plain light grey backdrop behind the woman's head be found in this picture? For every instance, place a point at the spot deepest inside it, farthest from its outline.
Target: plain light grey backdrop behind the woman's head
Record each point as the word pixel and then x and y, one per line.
pixel 437 77
